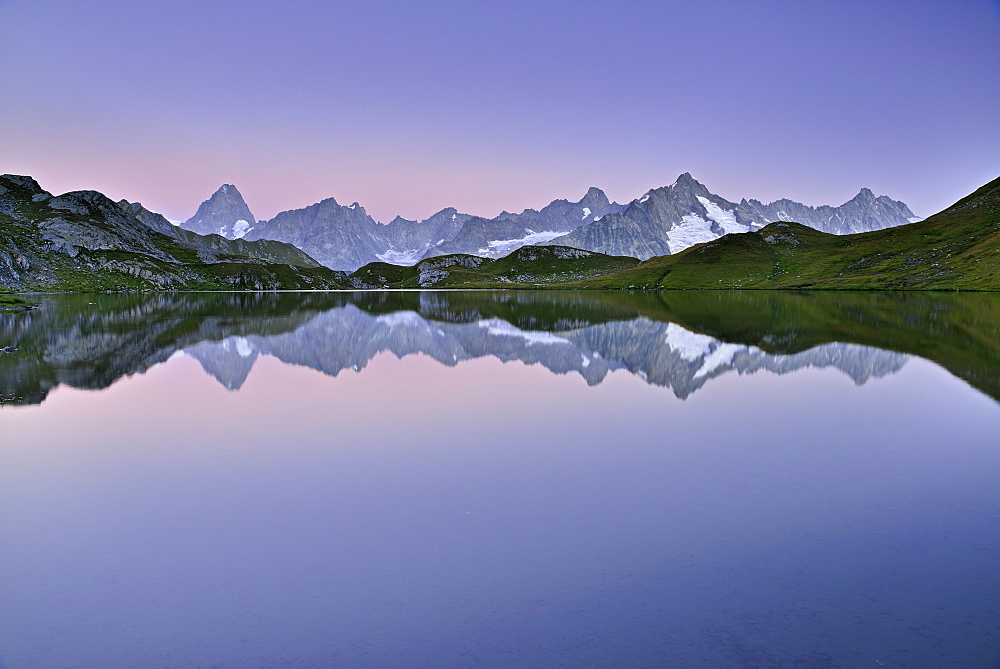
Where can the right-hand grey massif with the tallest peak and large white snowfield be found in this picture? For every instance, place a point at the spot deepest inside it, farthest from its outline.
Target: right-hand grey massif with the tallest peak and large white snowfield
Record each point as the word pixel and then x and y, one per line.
pixel 670 219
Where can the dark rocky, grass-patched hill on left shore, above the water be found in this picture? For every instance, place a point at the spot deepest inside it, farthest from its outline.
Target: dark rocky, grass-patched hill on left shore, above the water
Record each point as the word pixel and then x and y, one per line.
pixel 84 241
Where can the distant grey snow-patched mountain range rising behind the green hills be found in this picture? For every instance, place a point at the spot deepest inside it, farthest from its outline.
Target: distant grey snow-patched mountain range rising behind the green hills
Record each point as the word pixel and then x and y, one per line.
pixel 662 221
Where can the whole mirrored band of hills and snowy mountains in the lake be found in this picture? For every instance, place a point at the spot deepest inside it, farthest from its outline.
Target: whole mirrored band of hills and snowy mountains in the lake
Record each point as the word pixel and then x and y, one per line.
pixel 676 339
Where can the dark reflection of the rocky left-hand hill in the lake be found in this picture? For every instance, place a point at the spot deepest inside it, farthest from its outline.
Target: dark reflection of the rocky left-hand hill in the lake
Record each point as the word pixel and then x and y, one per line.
pixel 71 340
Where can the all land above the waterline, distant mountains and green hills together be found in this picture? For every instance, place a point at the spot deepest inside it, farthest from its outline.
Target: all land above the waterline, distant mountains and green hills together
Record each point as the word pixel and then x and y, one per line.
pixel 82 241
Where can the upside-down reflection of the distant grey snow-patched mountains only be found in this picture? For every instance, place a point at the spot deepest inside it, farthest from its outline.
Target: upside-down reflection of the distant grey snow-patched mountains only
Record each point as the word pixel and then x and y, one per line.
pixel 663 354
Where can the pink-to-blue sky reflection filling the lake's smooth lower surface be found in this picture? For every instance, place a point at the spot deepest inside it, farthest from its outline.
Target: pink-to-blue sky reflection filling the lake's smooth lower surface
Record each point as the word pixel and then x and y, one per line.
pixel 496 513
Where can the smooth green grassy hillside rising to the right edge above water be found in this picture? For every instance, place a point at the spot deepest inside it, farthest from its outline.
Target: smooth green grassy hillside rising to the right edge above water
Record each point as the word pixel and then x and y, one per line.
pixel 958 248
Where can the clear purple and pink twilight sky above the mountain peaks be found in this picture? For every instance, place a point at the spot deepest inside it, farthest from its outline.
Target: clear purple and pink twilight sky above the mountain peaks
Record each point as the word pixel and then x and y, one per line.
pixel 410 107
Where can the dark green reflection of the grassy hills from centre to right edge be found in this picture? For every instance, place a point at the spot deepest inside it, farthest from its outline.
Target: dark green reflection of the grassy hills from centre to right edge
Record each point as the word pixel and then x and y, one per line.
pixel 960 332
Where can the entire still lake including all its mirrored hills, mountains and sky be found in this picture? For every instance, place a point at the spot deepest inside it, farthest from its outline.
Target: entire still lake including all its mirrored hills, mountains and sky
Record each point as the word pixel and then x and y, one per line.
pixel 500 479
